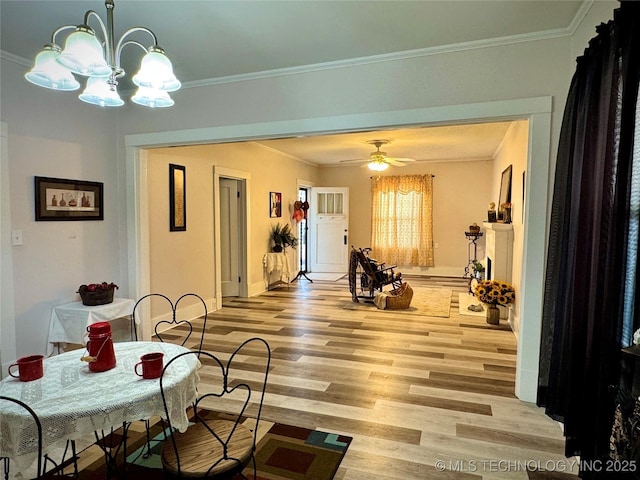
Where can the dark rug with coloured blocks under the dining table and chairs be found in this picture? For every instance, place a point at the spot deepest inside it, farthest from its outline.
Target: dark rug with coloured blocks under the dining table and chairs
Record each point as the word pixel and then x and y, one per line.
pixel 283 452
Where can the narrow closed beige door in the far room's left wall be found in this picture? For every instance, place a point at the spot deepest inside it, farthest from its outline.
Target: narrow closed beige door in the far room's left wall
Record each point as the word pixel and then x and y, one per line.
pixel 229 238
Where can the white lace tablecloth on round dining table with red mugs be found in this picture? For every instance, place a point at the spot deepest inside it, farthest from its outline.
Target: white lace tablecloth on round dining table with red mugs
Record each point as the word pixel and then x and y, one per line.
pixel 72 401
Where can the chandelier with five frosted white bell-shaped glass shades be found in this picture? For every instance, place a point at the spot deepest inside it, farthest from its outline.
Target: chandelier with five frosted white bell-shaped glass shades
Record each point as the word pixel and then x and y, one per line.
pixel 87 55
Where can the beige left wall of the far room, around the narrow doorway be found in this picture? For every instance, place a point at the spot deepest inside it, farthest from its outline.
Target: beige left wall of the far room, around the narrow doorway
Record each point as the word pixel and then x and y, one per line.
pixel 184 261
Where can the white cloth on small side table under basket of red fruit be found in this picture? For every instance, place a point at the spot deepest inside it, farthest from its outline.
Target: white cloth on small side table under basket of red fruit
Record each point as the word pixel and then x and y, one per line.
pixel 69 322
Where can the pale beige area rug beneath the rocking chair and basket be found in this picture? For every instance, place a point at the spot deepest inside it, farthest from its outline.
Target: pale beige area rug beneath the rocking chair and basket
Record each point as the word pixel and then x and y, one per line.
pixel 426 301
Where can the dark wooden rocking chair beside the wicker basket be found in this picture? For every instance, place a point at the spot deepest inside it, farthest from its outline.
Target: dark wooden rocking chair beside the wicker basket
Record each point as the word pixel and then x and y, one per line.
pixel 373 275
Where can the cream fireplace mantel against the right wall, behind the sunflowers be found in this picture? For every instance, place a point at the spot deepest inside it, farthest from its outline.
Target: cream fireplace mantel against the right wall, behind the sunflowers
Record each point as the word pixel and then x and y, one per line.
pixel 499 251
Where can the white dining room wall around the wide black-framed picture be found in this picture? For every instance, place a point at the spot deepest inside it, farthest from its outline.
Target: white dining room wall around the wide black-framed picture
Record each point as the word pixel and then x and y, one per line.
pixel 55 135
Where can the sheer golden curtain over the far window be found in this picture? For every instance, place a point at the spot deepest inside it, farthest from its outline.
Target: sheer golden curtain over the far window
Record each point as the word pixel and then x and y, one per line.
pixel 402 219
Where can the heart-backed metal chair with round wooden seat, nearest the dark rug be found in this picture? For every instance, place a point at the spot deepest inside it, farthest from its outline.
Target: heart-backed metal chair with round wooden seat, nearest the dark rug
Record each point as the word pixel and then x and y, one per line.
pixel 223 446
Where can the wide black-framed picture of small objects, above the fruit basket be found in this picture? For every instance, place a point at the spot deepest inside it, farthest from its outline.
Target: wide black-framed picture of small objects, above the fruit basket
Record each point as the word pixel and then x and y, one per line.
pixel 62 199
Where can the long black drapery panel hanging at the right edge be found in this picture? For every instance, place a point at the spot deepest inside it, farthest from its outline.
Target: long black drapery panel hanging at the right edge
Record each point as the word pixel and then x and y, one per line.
pixel 587 263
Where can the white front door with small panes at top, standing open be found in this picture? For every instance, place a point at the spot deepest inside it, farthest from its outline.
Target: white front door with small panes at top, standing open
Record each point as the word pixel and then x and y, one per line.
pixel 329 229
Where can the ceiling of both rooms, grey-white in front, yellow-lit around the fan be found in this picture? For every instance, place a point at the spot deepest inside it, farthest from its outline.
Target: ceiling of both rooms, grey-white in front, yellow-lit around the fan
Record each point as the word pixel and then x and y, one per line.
pixel 219 41
